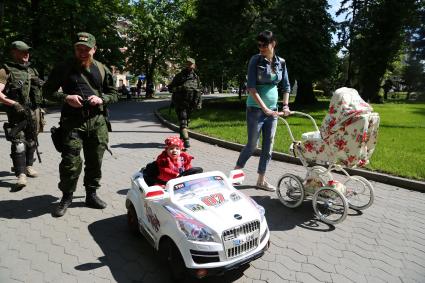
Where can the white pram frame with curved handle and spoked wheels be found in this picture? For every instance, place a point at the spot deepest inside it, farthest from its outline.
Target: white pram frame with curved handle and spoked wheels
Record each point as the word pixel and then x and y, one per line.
pixel 330 198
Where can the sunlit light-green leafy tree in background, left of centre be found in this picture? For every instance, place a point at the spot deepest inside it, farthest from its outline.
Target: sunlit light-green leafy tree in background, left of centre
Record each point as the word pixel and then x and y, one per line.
pixel 155 35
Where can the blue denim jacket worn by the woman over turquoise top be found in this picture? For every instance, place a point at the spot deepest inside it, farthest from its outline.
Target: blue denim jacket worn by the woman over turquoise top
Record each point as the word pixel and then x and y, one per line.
pixel 260 72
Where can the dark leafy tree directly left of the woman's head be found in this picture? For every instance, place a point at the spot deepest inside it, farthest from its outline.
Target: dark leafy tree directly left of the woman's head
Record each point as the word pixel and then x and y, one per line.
pixel 221 34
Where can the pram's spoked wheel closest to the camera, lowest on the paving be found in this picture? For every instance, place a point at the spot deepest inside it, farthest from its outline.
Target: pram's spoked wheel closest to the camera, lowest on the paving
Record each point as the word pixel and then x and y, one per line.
pixel 330 205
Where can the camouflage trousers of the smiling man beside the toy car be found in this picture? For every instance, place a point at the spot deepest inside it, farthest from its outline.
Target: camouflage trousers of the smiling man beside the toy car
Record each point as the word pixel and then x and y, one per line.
pixel 91 136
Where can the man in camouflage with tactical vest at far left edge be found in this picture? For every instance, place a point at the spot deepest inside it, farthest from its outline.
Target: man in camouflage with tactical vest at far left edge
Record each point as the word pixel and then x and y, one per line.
pixel 20 92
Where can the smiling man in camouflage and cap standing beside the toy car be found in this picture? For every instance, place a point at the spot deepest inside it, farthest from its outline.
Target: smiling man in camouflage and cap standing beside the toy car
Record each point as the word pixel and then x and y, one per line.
pixel 87 87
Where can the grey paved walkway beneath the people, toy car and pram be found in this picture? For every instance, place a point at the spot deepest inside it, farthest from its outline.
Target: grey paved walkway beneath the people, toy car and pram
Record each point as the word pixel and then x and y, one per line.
pixel 384 244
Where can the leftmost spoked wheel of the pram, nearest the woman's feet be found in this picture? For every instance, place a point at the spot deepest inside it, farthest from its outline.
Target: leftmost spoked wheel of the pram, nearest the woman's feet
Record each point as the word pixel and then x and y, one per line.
pixel 290 190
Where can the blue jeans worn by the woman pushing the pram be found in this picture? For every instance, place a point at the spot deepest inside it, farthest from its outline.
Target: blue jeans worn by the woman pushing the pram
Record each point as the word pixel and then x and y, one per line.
pixel 258 122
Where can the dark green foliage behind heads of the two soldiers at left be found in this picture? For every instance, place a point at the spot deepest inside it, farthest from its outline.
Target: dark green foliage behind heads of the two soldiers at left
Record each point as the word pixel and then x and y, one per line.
pixel 50 27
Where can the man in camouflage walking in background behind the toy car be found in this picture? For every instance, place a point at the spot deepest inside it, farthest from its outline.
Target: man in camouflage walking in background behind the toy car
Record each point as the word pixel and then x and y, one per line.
pixel 186 90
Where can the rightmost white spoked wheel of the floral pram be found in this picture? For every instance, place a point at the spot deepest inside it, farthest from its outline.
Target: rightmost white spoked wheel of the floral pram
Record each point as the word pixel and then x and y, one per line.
pixel 359 192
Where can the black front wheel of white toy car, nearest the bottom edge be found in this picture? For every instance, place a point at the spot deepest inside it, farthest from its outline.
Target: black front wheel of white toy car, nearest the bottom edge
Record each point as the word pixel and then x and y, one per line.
pixel 170 254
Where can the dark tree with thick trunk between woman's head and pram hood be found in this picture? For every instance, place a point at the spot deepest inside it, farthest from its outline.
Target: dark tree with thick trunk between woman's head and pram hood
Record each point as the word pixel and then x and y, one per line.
pixel 303 29
